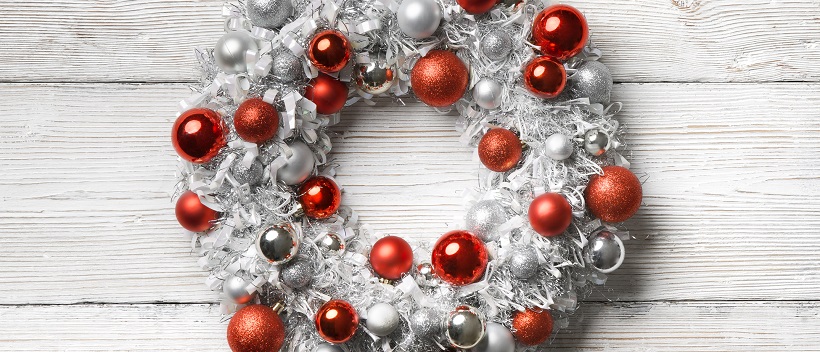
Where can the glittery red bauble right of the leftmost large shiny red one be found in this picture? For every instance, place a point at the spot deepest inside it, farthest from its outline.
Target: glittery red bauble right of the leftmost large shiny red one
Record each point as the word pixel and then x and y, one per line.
pixel 256 121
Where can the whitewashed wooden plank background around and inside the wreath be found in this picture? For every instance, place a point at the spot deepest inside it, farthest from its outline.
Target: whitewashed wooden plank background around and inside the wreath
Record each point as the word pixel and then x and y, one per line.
pixel 722 101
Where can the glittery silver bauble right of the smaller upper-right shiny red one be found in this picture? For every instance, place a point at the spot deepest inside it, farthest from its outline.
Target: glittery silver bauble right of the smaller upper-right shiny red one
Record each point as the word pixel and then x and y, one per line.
pixel 592 80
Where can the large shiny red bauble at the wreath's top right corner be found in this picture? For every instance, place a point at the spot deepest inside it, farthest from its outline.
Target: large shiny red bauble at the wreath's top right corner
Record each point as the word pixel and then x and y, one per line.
pixel 561 31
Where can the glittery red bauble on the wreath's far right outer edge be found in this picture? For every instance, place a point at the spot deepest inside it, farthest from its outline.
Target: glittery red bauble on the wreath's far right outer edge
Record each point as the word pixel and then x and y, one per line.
pixel 614 196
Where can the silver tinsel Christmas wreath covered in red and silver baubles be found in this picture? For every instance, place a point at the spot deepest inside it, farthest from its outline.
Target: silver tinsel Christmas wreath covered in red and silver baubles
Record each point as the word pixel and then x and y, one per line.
pixel 298 272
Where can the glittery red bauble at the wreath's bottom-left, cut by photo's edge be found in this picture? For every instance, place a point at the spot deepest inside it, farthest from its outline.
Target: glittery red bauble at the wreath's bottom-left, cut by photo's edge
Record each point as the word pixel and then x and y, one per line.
pixel 256 328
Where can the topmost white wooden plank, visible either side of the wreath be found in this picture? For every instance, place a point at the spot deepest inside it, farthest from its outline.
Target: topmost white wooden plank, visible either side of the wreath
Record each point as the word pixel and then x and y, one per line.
pixel 643 40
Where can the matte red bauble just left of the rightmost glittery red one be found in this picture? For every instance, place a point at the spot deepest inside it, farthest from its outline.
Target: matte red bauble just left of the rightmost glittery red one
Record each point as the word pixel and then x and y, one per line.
pixel 550 214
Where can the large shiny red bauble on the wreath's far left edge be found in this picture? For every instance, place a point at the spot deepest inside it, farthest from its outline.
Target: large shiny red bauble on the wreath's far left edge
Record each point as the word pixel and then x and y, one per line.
pixel 198 135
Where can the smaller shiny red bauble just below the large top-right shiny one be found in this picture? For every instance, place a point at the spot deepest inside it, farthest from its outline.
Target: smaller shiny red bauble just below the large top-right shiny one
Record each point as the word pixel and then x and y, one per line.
pixel 545 77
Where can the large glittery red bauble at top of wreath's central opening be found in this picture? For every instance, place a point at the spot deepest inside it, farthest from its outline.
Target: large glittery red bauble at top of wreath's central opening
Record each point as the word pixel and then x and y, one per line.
pixel 440 78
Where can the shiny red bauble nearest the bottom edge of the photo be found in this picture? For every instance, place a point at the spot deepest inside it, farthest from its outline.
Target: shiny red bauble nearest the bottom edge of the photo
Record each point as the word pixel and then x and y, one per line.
pixel 337 321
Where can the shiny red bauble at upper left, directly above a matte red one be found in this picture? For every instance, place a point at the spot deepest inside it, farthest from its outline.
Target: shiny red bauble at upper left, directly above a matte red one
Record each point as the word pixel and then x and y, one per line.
pixel 329 51
